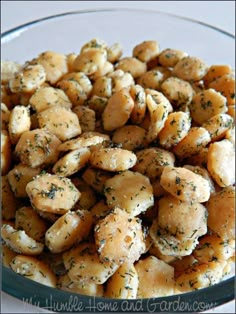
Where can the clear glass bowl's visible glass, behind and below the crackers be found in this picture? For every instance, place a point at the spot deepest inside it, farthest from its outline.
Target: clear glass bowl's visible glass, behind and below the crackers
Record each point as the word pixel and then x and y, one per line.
pixel 66 33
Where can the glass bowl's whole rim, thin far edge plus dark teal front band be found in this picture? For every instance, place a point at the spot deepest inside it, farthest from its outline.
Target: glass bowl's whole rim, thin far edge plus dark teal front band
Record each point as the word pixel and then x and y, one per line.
pixel 29 290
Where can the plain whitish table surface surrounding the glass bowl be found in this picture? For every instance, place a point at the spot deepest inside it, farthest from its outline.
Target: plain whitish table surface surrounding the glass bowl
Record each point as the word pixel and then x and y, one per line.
pixel 14 13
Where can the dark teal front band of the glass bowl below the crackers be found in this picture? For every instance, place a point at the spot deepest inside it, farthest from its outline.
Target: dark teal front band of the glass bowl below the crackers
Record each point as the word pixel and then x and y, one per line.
pixel 54 299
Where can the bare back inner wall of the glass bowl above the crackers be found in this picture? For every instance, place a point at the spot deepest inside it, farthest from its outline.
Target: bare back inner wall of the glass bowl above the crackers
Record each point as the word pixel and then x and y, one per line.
pixel 66 33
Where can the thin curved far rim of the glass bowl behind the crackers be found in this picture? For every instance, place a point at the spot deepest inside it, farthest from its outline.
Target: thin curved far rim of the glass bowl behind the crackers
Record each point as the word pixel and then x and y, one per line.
pixel 29 24
